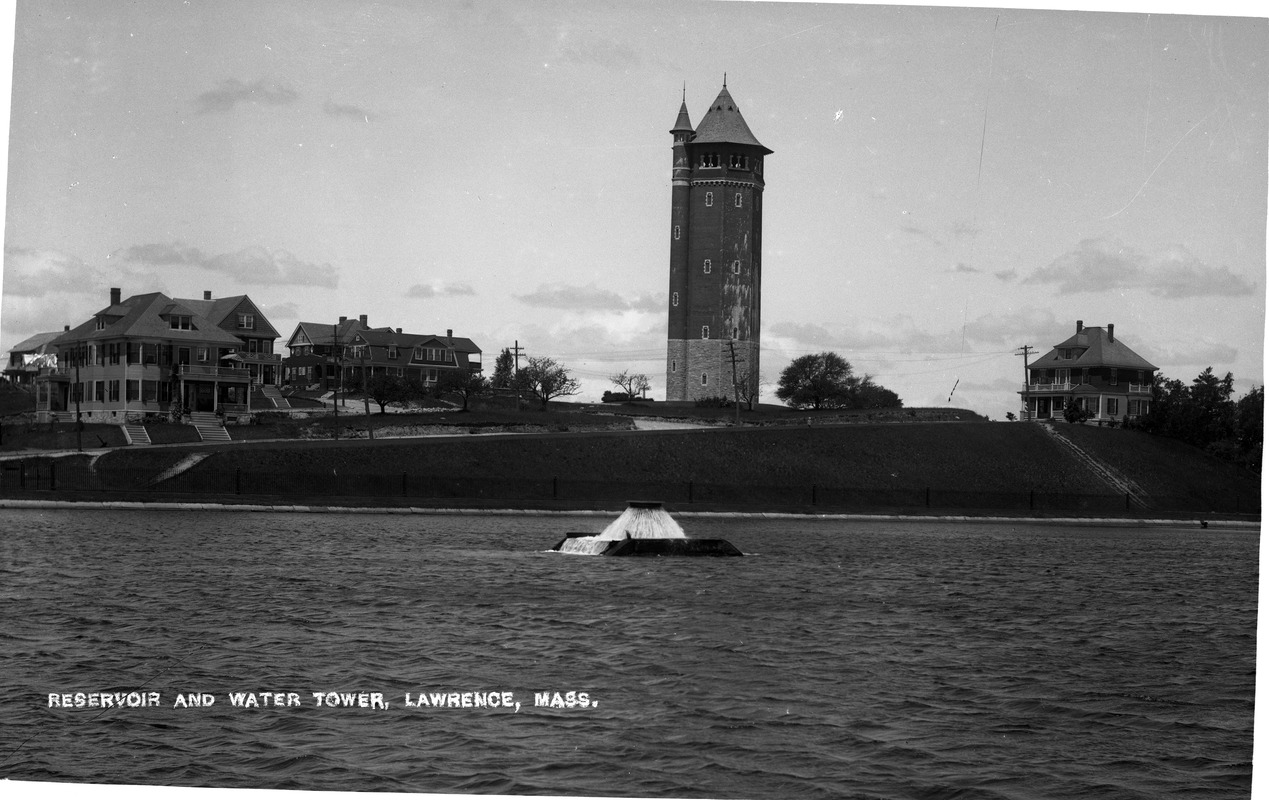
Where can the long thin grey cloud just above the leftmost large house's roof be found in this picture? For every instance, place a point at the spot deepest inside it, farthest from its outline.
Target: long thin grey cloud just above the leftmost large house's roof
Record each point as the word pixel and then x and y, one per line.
pixel 252 266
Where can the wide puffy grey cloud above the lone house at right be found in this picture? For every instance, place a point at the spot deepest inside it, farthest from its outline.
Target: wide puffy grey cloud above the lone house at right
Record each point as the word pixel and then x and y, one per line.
pixel 1103 265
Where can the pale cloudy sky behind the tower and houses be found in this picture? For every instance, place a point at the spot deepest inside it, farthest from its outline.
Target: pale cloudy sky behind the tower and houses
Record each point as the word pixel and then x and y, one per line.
pixel 949 185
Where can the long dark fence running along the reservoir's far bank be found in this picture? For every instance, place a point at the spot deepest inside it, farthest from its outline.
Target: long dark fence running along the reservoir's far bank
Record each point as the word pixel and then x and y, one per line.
pixel 49 478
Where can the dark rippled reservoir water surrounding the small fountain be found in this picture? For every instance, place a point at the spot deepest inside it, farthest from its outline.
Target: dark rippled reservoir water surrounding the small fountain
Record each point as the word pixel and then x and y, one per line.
pixel 843 660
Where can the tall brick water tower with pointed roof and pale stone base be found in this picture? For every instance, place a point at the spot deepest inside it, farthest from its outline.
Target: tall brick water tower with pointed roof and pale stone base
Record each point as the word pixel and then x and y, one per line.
pixel 716 247
